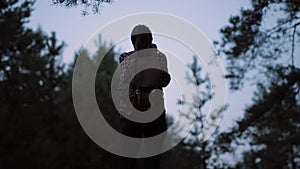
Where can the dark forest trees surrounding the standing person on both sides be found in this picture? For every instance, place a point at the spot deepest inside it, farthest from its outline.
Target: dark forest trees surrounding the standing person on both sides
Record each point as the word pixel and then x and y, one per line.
pixel 39 127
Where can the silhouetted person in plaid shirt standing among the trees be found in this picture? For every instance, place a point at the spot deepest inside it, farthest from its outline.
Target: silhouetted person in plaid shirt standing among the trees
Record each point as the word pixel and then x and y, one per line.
pixel 139 89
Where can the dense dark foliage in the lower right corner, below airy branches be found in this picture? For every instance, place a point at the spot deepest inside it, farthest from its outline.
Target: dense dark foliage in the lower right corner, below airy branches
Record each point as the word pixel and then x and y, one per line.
pixel 272 125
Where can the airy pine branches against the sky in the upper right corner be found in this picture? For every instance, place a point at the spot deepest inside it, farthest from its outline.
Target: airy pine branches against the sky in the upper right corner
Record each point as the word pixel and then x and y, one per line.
pixel 254 41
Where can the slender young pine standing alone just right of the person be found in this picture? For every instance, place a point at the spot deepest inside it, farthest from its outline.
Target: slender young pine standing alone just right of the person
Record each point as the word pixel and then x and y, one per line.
pixel 198 151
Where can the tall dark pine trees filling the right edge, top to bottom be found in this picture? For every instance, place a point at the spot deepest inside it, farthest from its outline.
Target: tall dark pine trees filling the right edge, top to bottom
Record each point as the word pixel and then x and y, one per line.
pixel 261 42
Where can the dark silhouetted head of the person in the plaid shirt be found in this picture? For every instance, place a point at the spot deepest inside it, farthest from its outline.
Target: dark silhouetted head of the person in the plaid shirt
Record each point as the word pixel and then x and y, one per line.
pixel 141 37
